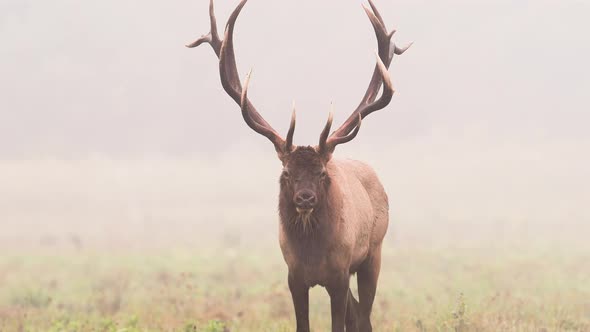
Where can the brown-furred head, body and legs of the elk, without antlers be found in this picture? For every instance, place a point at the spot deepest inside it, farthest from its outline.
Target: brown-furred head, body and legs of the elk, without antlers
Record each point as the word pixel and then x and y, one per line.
pixel 343 236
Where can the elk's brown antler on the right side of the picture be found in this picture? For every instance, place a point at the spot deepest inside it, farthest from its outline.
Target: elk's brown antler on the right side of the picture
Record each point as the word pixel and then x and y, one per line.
pixel 386 50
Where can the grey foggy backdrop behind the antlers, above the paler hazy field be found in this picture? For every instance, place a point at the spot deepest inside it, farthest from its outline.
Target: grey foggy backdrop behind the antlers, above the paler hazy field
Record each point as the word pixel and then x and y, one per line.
pixel 113 77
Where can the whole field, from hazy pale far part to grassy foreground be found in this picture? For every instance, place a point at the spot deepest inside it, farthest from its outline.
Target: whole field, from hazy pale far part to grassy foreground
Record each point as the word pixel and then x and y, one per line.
pixel 150 246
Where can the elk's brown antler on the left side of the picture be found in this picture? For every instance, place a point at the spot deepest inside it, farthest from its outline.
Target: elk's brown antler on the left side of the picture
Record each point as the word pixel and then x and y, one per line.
pixel 230 80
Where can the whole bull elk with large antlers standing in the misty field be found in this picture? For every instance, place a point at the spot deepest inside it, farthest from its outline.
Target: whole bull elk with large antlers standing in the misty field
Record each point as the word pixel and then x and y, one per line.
pixel 333 213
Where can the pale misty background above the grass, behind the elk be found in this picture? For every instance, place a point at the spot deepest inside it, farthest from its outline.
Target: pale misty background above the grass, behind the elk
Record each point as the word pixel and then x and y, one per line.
pixel 111 130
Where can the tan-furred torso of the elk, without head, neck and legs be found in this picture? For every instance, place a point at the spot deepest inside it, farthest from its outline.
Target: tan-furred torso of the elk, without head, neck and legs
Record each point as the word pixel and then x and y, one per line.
pixel 354 231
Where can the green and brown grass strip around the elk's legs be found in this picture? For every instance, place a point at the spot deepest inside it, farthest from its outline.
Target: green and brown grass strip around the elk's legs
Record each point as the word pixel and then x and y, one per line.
pixel 245 289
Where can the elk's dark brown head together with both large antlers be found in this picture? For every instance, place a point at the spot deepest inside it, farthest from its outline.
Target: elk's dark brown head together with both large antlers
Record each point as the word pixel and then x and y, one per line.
pixel 305 179
